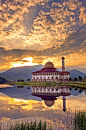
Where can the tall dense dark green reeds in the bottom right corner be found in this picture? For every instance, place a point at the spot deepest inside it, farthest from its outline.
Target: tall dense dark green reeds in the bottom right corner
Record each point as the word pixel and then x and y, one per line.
pixel 80 120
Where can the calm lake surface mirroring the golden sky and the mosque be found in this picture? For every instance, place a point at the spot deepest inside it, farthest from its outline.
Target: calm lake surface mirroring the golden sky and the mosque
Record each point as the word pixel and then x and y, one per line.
pixel 23 101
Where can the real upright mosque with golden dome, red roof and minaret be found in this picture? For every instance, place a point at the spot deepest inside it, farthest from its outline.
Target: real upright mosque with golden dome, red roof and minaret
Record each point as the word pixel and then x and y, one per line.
pixel 49 73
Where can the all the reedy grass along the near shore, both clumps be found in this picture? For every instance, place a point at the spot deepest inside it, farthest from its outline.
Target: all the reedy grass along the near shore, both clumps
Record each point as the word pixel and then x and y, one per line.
pixel 76 122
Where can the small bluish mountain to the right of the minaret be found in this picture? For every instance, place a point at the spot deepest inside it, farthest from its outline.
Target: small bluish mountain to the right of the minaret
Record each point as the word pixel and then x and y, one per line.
pixel 75 73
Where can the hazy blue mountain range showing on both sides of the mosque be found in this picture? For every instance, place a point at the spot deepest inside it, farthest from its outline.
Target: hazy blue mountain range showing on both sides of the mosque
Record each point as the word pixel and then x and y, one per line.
pixel 25 72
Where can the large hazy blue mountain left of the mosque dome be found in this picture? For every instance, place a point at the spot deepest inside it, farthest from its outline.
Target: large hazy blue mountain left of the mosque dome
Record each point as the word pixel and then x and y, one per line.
pixel 20 72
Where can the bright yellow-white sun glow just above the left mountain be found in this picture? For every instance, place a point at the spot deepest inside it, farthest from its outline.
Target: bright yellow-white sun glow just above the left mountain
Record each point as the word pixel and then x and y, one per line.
pixel 24 62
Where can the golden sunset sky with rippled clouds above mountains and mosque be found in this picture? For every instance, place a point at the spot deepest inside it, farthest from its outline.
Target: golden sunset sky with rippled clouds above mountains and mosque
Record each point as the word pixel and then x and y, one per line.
pixel 33 32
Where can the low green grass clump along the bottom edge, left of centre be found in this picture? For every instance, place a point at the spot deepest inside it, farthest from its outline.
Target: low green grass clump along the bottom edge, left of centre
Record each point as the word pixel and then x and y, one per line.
pixel 31 126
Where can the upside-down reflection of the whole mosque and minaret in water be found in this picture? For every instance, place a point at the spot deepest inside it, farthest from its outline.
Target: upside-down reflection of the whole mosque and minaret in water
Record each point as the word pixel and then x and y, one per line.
pixel 50 94
